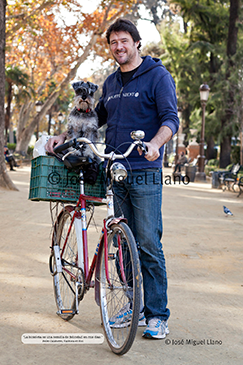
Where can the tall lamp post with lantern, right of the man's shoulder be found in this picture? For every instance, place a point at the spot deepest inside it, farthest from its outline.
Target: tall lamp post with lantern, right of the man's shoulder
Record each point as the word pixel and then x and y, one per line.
pixel 204 92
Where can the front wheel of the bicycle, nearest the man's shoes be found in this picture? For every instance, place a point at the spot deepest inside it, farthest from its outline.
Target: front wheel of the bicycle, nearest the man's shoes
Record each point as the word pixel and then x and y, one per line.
pixel 117 296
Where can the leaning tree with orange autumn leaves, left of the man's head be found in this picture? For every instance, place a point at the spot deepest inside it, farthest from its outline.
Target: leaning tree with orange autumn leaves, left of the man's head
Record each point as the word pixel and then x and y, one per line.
pixel 50 62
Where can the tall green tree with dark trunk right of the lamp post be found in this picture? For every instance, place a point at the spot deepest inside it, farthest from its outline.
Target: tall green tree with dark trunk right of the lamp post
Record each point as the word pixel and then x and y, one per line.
pixel 211 29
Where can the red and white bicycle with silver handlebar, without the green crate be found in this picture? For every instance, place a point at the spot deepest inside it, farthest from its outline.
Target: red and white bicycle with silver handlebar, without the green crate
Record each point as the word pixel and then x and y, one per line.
pixel 115 263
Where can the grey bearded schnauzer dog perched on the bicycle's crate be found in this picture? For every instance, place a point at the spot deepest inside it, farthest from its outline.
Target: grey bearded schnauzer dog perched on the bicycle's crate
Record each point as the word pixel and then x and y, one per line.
pixel 83 120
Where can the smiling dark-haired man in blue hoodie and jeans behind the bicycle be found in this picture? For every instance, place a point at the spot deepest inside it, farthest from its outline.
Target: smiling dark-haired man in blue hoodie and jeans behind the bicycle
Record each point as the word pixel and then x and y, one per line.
pixel 140 95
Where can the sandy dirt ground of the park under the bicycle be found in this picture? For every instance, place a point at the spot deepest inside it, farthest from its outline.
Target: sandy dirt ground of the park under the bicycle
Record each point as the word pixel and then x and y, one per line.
pixel 203 250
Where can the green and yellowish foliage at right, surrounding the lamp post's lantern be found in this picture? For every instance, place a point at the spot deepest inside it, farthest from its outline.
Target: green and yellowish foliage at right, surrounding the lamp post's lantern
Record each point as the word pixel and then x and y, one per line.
pixel 198 53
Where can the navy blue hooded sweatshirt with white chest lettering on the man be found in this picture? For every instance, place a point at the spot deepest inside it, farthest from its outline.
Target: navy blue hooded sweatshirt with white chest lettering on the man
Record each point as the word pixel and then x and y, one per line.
pixel 146 102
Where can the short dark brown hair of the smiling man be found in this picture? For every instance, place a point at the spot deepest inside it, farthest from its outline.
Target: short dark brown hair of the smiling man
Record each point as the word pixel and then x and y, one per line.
pixel 124 25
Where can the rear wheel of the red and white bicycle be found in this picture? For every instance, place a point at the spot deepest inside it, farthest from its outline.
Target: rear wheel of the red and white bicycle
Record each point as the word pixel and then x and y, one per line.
pixel 64 284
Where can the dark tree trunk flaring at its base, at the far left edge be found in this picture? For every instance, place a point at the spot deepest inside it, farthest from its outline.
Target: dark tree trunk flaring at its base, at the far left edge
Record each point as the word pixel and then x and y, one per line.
pixel 5 180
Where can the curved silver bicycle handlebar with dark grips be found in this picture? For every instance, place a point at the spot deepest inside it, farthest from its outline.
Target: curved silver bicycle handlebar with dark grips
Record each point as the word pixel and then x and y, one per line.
pixel 73 143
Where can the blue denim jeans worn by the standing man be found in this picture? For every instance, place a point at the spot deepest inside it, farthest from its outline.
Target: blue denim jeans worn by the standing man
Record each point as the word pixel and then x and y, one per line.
pixel 139 199
